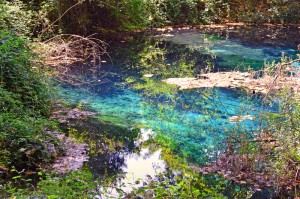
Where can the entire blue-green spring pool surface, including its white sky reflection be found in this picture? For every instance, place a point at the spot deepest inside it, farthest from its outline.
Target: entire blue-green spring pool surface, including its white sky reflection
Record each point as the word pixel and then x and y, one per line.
pixel 193 122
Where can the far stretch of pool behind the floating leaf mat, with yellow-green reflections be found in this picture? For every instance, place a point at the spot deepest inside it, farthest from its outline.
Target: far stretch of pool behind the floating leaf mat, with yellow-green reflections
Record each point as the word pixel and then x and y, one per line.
pixel 186 53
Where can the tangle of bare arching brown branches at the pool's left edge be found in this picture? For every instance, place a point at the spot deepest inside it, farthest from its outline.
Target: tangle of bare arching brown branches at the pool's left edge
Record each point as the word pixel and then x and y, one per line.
pixel 76 59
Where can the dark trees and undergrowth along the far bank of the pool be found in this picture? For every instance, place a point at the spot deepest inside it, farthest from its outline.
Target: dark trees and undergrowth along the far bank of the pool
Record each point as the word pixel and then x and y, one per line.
pixel 107 16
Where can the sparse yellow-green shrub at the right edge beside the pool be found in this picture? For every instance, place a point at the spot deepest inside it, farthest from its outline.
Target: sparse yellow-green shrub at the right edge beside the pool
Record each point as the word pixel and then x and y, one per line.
pixel 285 126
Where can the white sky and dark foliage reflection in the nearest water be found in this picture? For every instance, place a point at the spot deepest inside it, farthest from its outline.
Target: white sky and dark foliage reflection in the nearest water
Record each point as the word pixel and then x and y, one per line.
pixel 117 153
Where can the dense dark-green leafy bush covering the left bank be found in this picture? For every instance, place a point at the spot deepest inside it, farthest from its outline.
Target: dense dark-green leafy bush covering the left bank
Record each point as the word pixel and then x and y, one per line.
pixel 24 105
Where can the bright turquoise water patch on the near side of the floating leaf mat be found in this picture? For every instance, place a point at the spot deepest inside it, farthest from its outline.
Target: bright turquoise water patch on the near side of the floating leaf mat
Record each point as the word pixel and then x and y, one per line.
pixel 191 120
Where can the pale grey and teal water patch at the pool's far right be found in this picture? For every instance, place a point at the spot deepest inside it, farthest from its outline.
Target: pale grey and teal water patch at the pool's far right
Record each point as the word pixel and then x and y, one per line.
pixel 234 53
